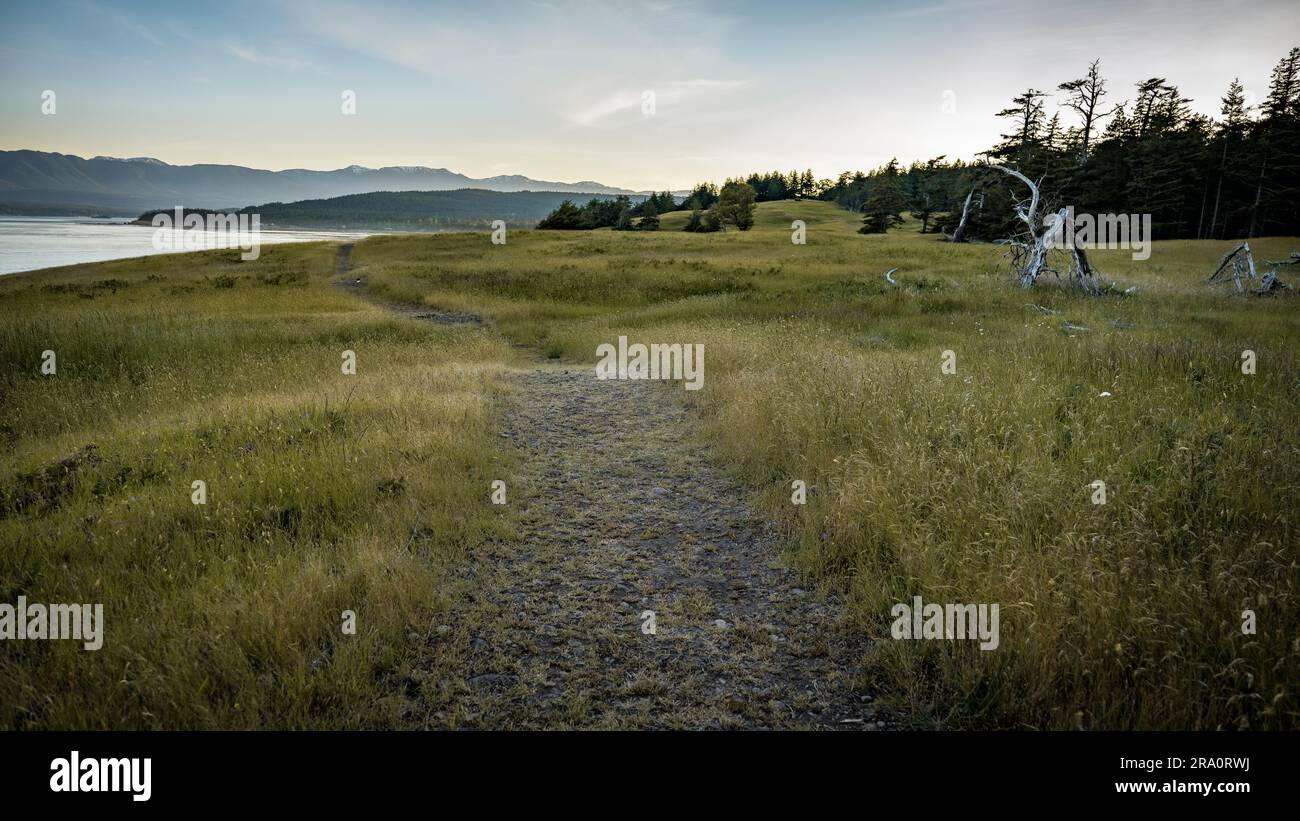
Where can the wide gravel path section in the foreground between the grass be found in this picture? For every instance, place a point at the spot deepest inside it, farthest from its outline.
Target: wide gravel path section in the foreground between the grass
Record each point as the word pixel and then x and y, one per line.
pixel 625 520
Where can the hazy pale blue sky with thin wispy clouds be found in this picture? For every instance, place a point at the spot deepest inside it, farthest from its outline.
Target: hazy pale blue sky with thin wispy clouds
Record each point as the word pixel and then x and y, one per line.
pixel 554 90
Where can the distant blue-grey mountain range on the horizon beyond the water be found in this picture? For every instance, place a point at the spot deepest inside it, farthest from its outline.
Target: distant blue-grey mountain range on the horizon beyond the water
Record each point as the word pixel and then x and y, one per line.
pixel 37 183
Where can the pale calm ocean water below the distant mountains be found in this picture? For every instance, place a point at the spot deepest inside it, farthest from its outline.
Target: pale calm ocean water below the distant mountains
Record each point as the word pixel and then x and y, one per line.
pixel 29 244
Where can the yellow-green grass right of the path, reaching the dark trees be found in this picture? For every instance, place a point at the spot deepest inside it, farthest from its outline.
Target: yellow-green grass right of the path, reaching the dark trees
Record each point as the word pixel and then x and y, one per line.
pixel 977 486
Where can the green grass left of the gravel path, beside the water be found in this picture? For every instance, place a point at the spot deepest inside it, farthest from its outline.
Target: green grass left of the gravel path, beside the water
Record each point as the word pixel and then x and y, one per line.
pixel 326 492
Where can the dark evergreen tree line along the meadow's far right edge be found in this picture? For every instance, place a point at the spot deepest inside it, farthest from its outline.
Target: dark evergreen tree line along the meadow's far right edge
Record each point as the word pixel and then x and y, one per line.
pixel 1232 177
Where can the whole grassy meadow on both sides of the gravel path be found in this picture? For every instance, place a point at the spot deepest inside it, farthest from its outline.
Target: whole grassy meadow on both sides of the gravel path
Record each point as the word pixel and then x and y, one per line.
pixel 332 493
